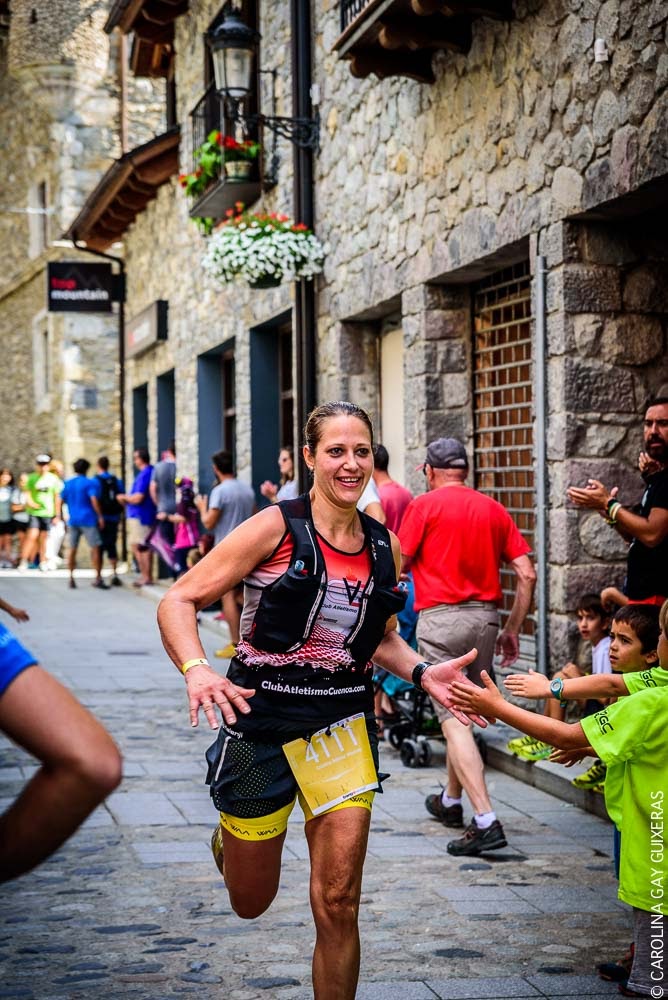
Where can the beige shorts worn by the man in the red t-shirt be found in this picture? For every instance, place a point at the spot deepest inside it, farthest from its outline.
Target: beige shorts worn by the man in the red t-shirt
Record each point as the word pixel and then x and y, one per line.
pixel 449 630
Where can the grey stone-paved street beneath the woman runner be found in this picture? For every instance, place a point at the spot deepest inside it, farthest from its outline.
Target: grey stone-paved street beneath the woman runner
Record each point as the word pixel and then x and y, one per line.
pixel 133 906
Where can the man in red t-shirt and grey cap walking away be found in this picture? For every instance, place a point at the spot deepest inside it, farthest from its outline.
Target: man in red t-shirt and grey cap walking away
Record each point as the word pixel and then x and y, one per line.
pixel 454 540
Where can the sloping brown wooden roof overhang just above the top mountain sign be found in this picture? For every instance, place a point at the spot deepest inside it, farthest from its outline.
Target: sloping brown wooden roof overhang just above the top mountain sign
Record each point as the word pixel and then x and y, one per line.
pixel 125 190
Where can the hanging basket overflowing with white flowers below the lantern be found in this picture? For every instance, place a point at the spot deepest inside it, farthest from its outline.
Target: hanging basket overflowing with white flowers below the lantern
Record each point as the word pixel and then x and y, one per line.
pixel 262 250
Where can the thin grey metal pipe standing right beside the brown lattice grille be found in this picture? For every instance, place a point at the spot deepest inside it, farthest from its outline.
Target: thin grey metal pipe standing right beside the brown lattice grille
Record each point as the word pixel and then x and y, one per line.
pixel 540 365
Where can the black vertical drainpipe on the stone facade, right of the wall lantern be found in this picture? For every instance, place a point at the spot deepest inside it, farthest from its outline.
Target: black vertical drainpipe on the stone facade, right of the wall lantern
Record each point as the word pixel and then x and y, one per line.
pixel 305 307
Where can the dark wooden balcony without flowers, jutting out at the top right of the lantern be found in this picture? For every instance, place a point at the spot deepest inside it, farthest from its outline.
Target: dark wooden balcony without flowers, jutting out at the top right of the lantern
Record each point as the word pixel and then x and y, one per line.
pixel 399 37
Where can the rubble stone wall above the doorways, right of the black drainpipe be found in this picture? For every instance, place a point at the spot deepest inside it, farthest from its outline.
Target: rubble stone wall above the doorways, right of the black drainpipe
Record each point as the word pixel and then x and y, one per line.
pixel 416 181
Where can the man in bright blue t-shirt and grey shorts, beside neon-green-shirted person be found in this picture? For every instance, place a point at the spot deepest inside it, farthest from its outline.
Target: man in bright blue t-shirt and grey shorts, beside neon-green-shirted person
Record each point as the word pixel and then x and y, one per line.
pixel 82 496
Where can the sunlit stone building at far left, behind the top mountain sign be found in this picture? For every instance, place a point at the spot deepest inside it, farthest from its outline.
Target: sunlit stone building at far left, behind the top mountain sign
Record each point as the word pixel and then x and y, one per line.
pixel 59 120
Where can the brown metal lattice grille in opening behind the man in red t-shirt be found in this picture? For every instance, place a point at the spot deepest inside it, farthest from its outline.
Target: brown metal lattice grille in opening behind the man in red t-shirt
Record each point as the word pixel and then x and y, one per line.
pixel 503 407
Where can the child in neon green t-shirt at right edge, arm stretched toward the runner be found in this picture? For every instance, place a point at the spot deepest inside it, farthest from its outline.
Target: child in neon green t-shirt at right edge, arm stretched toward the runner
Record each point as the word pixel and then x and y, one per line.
pixel 630 736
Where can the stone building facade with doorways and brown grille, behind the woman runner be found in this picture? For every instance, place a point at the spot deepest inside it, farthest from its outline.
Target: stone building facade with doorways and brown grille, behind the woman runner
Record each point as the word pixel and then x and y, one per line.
pixel 536 161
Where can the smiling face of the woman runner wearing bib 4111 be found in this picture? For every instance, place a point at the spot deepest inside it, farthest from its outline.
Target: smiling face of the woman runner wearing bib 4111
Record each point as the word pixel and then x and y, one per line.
pixel 343 460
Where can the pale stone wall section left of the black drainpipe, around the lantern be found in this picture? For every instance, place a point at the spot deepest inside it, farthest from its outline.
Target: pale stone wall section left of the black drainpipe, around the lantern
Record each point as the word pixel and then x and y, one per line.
pixel 202 314
